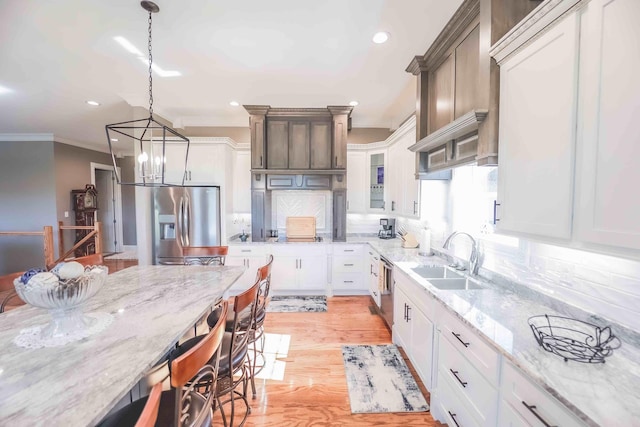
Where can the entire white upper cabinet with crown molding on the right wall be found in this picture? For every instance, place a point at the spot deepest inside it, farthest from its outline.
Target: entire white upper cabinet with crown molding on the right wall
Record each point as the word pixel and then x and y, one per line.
pixel 568 125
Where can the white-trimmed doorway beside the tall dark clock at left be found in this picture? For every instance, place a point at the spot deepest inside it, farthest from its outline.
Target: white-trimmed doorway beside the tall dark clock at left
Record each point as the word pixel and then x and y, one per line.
pixel 109 211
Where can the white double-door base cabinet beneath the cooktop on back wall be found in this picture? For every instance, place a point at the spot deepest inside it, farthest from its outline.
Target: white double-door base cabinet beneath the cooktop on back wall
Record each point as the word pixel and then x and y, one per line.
pixel 299 269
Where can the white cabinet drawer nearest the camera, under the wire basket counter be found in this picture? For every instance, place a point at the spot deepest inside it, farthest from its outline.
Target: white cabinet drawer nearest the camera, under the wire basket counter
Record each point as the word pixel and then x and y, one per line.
pixel 531 402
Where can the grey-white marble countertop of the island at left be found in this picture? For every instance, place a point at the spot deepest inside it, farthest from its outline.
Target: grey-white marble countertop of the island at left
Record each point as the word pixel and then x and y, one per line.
pixel 78 383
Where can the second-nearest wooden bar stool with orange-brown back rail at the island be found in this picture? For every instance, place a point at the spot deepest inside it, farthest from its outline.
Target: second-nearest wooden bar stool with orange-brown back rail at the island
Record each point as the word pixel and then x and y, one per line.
pixel 193 382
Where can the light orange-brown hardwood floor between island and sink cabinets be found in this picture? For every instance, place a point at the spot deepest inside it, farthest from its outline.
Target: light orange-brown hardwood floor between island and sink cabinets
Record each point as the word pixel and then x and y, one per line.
pixel 313 391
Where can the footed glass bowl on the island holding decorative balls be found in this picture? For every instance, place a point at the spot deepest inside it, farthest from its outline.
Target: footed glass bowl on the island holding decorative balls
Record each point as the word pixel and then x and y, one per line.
pixel 64 301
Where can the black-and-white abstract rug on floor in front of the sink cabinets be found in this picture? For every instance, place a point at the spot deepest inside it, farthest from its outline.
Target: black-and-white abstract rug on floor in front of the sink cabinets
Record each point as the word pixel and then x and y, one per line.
pixel 379 381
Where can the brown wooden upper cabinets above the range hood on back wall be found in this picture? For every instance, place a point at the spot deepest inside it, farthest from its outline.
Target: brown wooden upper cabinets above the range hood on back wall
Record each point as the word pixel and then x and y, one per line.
pixel 294 140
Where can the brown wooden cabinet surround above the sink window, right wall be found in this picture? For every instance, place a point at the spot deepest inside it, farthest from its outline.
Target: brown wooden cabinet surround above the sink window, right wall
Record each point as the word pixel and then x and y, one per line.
pixel 458 87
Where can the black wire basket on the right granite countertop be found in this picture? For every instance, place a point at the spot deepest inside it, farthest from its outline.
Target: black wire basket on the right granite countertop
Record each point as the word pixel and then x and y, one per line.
pixel 573 339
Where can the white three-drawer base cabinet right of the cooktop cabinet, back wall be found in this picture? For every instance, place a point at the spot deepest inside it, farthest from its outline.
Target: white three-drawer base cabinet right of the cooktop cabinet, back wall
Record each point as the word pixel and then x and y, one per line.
pixel 347 270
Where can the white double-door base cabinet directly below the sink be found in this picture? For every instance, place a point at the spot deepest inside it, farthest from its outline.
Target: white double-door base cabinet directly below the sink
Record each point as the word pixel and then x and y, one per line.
pixel 413 325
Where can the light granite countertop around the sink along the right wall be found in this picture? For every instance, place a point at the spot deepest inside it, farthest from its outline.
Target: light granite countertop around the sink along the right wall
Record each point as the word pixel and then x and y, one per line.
pixel 599 394
